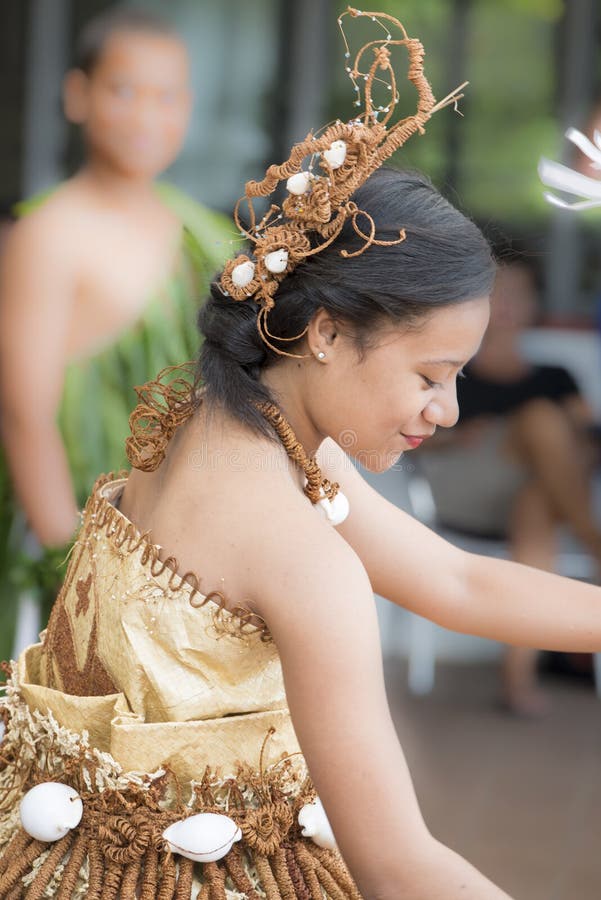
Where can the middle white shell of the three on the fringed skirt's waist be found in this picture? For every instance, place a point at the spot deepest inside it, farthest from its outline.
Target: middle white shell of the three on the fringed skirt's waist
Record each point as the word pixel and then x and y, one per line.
pixel 205 837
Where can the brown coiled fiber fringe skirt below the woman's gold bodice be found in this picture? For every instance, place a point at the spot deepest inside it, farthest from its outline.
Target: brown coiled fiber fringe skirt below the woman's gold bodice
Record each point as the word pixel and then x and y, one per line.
pixel 118 851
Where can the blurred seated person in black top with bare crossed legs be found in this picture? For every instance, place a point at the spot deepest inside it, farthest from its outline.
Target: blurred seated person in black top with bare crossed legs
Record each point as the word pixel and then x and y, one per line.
pixel 519 461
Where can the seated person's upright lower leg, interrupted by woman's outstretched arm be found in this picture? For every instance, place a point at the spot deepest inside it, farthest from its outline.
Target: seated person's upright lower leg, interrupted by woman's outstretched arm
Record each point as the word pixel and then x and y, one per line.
pixel 532 534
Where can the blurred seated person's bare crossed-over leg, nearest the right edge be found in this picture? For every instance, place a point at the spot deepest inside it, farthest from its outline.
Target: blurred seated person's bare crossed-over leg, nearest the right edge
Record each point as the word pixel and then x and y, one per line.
pixel 543 438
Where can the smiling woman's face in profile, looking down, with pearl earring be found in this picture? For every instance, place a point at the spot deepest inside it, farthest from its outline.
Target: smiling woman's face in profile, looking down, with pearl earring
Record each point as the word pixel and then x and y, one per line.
pixel 403 388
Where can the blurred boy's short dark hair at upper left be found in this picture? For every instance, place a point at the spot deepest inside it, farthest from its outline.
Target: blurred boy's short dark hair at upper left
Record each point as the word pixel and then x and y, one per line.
pixel 96 33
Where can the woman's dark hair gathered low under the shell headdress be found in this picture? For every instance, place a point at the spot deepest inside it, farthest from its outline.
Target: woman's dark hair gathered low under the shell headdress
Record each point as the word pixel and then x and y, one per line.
pixel 444 260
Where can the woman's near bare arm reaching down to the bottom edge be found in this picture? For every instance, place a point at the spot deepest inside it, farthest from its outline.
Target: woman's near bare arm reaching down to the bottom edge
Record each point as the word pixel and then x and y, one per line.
pixel 315 596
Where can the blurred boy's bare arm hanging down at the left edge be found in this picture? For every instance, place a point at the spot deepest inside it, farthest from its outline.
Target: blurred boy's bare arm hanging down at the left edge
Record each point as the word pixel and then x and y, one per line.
pixel 35 305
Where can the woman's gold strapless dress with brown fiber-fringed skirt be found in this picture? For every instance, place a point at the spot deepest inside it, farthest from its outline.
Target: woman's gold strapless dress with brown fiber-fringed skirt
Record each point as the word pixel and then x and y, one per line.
pixel 154 703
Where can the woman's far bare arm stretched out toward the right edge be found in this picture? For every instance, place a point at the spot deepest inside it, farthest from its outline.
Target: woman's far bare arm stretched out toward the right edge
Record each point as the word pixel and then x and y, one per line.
pixel 415 568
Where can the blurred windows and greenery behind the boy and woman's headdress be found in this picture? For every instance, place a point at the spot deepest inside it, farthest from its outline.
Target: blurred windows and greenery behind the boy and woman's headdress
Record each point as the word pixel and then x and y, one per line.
pixel 267 71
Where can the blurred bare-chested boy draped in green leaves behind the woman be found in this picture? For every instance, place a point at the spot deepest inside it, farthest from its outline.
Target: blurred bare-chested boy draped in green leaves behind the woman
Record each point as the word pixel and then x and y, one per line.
pixel 99 286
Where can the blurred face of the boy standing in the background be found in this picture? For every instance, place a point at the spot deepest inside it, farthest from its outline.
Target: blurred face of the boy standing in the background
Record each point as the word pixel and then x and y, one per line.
pixel 137 103
